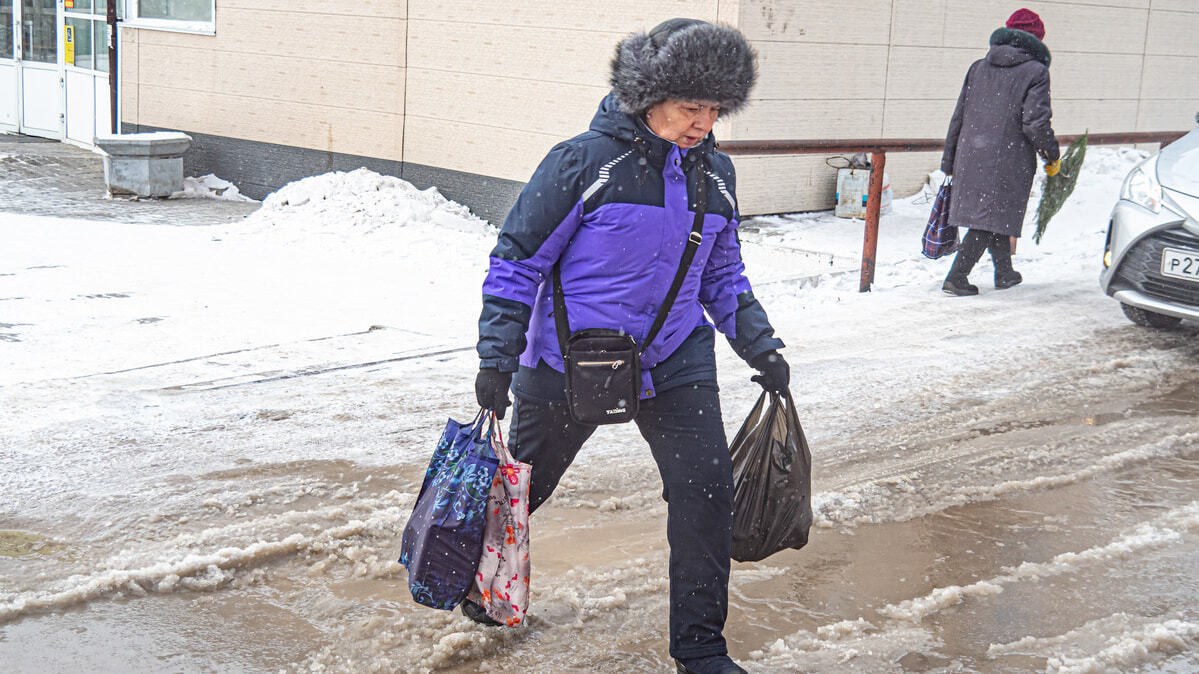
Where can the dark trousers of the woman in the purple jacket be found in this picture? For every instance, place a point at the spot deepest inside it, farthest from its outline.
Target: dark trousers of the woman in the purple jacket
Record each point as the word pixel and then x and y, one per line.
pixel 686 437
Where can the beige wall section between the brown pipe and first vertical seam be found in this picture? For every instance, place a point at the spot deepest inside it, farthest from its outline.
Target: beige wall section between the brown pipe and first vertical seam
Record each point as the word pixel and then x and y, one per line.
pixel 324 75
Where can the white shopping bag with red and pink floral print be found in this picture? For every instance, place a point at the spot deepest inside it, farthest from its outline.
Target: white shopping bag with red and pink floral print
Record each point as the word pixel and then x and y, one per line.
pixel 502 585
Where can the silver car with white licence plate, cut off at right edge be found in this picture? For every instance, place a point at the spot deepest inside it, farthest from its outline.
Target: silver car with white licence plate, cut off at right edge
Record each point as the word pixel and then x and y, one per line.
pixel 1152 260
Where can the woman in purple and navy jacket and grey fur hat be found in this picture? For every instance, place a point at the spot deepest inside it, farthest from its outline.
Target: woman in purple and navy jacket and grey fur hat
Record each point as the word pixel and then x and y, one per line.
pixel 600 239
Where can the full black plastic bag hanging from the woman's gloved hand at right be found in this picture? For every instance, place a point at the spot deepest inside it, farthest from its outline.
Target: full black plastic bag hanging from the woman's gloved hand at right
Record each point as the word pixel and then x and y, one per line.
pixel 773 482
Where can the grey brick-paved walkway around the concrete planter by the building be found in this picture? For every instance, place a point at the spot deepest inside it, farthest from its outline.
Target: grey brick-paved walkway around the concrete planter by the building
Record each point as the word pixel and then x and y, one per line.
pixel 47 178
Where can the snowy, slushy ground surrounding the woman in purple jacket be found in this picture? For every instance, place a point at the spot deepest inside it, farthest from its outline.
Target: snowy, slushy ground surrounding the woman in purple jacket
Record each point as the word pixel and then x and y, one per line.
pixel 213 436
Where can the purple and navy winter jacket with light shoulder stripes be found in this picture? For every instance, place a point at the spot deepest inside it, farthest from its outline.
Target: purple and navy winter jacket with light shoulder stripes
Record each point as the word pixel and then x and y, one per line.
pixel 614 207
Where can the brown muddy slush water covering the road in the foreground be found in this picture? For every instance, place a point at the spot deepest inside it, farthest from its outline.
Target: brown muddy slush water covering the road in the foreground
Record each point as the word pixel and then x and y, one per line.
pixel 1067 543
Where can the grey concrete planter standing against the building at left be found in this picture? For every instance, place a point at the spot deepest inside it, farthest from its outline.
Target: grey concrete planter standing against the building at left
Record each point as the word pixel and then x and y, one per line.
pixel 144 165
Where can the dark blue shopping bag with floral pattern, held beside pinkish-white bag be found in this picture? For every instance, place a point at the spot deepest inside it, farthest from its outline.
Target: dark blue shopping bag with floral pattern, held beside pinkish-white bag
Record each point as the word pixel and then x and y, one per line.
pixel 444 537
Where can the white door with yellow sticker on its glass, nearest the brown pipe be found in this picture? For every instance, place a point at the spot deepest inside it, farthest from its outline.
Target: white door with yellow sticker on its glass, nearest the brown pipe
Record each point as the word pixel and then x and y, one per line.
pixel 86 67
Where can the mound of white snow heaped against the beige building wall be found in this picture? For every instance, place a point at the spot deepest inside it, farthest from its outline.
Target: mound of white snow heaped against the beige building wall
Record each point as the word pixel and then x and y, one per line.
pixel 360 201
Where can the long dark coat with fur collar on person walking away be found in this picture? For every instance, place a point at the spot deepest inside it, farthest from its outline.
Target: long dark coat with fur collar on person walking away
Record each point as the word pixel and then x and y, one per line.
pixel 1001 125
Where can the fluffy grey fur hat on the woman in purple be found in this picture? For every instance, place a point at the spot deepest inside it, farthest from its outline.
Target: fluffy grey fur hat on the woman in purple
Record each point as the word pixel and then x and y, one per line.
pixel 685 59
